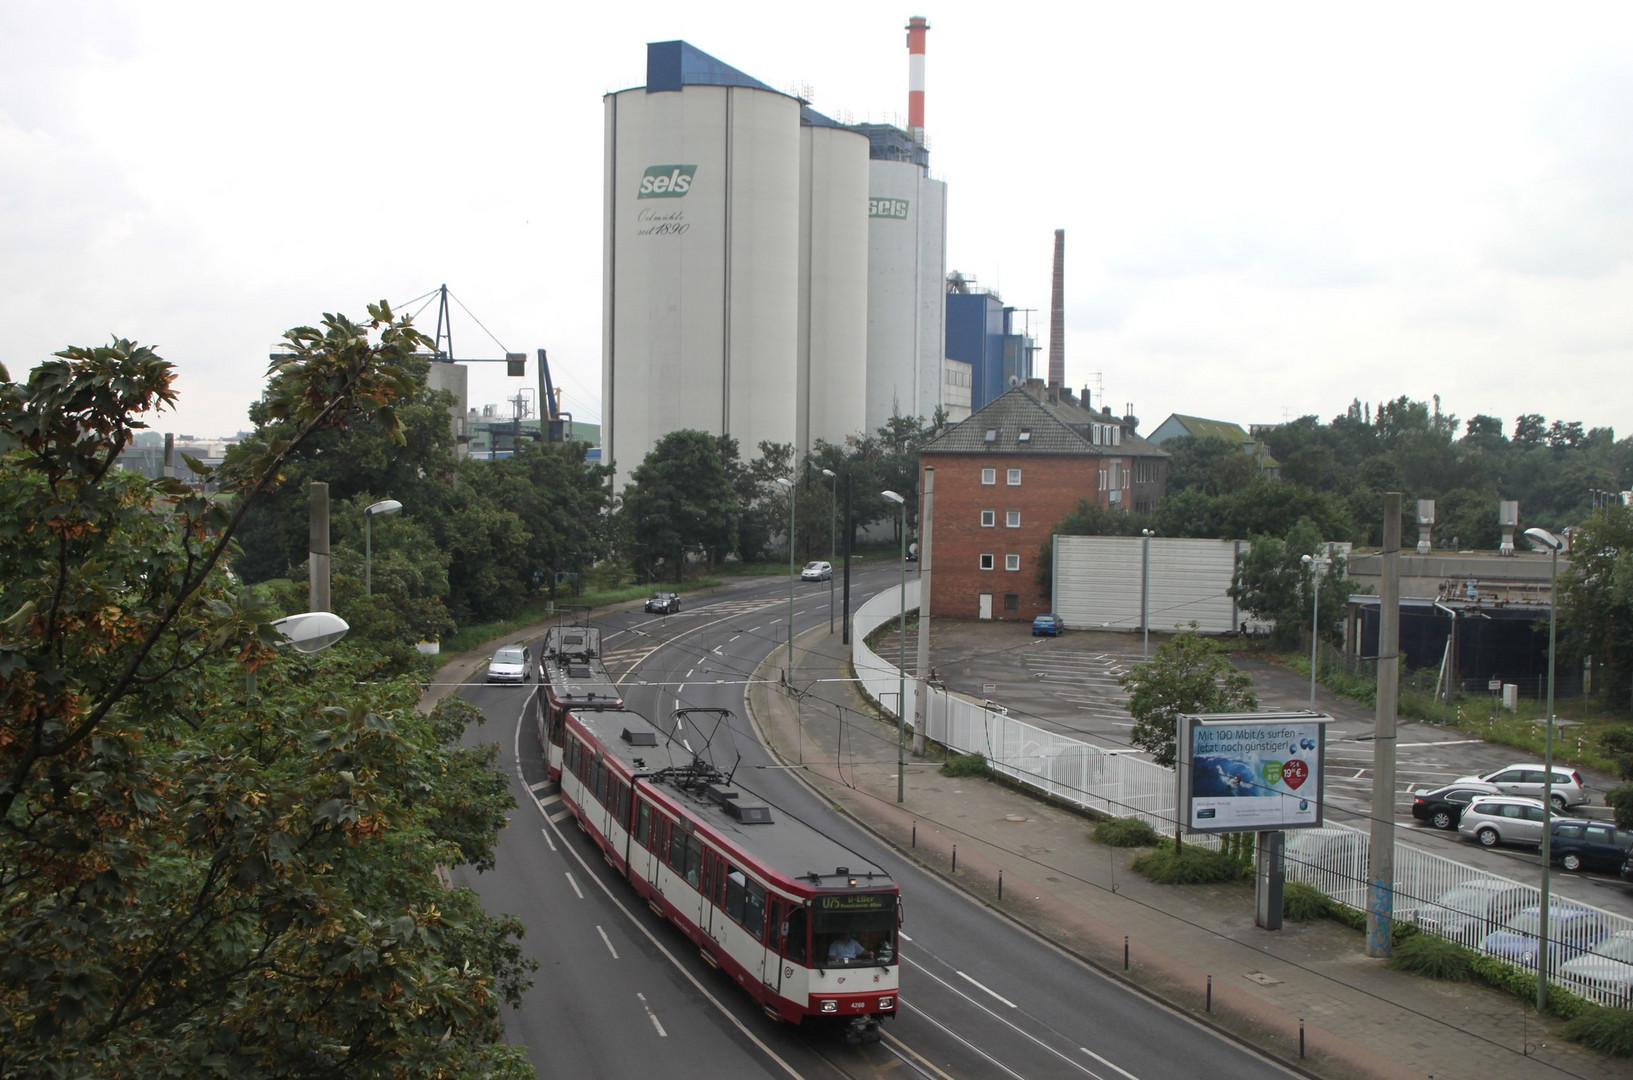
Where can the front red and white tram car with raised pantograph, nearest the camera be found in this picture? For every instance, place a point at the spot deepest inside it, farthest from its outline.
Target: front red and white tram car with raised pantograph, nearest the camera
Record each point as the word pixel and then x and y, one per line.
pixel 801 922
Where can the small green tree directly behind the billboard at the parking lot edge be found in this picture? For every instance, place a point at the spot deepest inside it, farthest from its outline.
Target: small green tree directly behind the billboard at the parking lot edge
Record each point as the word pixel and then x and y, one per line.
pixel 1188 676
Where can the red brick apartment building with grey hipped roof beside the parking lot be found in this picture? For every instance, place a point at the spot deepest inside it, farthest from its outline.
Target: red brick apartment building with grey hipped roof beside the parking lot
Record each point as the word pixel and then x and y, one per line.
pixel 1008 476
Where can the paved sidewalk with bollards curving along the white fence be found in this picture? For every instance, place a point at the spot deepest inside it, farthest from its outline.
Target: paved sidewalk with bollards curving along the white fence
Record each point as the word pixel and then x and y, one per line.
pixel 1196 948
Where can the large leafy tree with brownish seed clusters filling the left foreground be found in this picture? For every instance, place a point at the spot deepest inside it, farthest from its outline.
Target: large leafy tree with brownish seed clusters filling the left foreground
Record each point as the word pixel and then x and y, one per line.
pixel 197 881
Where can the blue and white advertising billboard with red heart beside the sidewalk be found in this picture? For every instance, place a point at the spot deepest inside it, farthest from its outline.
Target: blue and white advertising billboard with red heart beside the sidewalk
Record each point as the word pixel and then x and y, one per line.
pixel 1252 772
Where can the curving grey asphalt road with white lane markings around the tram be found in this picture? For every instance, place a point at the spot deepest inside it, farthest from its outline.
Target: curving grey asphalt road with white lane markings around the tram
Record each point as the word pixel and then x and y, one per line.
pixel 621 994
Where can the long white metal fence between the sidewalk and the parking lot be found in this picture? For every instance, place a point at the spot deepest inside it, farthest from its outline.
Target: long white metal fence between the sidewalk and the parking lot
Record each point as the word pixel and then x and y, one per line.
pixel 1438 895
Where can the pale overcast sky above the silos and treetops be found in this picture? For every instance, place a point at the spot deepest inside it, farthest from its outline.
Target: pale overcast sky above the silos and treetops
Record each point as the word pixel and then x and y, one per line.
pixel 1271 210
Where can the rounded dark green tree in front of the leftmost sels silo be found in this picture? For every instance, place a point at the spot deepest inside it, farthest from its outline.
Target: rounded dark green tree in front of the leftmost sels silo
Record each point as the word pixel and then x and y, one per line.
pixel 680 501
